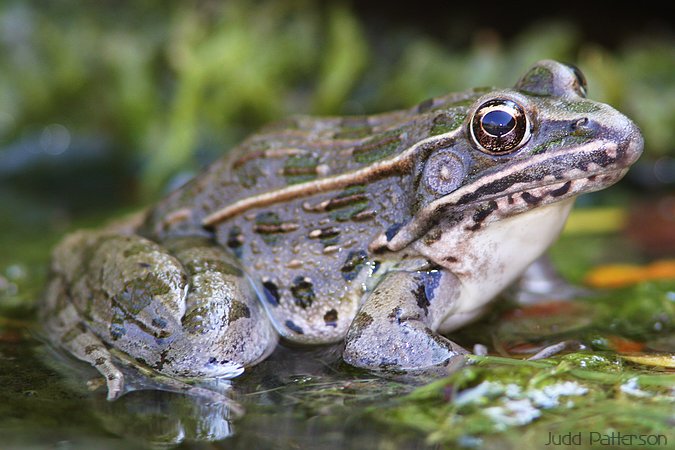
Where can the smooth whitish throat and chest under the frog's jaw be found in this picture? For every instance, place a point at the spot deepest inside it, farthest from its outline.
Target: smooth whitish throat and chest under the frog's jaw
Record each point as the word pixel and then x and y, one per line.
pixel 494 256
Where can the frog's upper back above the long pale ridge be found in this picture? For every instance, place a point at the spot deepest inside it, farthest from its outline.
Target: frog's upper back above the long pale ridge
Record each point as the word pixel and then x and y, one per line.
pixel 303 149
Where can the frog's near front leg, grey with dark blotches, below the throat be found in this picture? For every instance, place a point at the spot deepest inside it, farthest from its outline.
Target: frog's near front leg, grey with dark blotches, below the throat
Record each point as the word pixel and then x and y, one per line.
pixel 396 325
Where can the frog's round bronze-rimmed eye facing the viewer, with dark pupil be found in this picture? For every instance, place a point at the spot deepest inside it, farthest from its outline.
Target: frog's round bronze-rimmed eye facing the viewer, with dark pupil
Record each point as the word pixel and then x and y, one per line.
pixel 499 126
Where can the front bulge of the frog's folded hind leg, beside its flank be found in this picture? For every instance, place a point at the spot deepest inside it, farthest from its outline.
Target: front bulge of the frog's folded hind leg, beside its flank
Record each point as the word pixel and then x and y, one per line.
pixel 225 326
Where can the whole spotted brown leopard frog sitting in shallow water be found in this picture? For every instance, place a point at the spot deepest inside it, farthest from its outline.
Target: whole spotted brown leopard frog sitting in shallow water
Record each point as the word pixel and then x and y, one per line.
pixel 380 233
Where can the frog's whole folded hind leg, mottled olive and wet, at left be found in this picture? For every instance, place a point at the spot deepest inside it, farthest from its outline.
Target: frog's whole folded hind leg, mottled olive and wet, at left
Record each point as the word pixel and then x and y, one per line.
pixel 184 309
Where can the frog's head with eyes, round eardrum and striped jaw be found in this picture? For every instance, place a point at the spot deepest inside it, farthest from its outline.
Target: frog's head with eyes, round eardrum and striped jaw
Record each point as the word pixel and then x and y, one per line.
pixel 519 149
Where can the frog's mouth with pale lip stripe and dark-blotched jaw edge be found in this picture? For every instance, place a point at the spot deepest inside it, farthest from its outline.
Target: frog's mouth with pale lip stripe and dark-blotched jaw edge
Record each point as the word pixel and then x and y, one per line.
pixel 533 182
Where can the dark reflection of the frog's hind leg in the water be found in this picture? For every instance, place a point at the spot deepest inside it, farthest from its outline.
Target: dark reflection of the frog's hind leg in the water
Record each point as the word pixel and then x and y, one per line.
pixel 156 410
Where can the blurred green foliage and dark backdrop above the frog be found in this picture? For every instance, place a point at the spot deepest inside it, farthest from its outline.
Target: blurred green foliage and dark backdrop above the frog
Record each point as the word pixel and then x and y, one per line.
pixel 112 103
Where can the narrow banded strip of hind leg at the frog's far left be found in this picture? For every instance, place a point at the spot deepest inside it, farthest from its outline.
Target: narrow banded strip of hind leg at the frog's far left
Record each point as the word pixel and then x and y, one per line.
pixel 63 324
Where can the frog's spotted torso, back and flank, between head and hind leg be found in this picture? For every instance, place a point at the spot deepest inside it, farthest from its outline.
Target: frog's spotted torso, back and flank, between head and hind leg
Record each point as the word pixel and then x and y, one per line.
pixel 307 246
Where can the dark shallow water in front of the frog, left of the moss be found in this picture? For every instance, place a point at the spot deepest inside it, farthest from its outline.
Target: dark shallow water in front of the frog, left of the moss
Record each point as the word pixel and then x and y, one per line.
pixel 297 398
